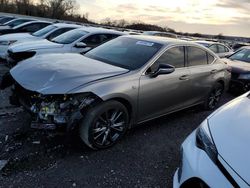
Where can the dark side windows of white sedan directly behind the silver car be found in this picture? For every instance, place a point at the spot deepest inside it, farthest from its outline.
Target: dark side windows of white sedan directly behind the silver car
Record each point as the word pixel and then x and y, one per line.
pixel 97 39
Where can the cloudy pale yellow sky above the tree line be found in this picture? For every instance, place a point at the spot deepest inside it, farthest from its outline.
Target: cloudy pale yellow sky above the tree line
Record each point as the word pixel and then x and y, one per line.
pixel 230 17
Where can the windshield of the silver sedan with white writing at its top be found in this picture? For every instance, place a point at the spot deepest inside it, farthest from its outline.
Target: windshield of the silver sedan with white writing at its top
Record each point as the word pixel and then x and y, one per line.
pixel 125 52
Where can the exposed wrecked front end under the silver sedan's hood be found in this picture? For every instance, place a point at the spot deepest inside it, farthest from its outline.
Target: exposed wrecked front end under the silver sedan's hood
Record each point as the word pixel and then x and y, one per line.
pixel 65 109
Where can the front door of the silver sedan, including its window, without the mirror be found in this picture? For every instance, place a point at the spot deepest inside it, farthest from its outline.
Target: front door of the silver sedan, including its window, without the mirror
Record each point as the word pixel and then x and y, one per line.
pixel 168 92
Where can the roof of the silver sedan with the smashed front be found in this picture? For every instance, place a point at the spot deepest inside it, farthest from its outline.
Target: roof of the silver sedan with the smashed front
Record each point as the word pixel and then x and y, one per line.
pixel 161 40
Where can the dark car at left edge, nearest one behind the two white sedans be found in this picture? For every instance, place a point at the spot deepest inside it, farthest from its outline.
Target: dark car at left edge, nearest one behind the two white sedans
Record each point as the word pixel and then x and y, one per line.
pixel 27 27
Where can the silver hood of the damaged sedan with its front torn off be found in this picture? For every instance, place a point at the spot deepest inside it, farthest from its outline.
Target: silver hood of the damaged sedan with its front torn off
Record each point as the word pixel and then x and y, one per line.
pixel 60 73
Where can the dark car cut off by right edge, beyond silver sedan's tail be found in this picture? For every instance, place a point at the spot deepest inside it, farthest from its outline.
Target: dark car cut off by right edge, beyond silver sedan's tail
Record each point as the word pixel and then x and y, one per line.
pixel 240 69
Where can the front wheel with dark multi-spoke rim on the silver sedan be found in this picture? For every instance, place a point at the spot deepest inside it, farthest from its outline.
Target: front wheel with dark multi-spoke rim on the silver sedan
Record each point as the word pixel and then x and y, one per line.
pixel 104 125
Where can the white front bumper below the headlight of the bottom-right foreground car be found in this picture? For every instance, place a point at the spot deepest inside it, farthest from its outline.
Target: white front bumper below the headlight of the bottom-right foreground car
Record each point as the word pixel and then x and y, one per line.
pixel 197 165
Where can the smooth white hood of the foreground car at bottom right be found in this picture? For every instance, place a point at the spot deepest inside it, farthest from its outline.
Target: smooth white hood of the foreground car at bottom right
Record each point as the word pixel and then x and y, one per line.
pixel 230 129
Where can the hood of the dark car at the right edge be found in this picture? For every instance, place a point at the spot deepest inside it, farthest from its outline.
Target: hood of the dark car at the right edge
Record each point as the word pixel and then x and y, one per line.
pixel 238 66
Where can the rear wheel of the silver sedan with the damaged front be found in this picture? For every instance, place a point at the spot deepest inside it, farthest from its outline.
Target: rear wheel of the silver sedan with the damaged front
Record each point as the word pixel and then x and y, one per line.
pixel 214 97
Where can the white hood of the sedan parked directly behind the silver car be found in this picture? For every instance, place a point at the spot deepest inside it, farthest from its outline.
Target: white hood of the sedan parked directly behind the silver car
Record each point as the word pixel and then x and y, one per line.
pixel 34 45
